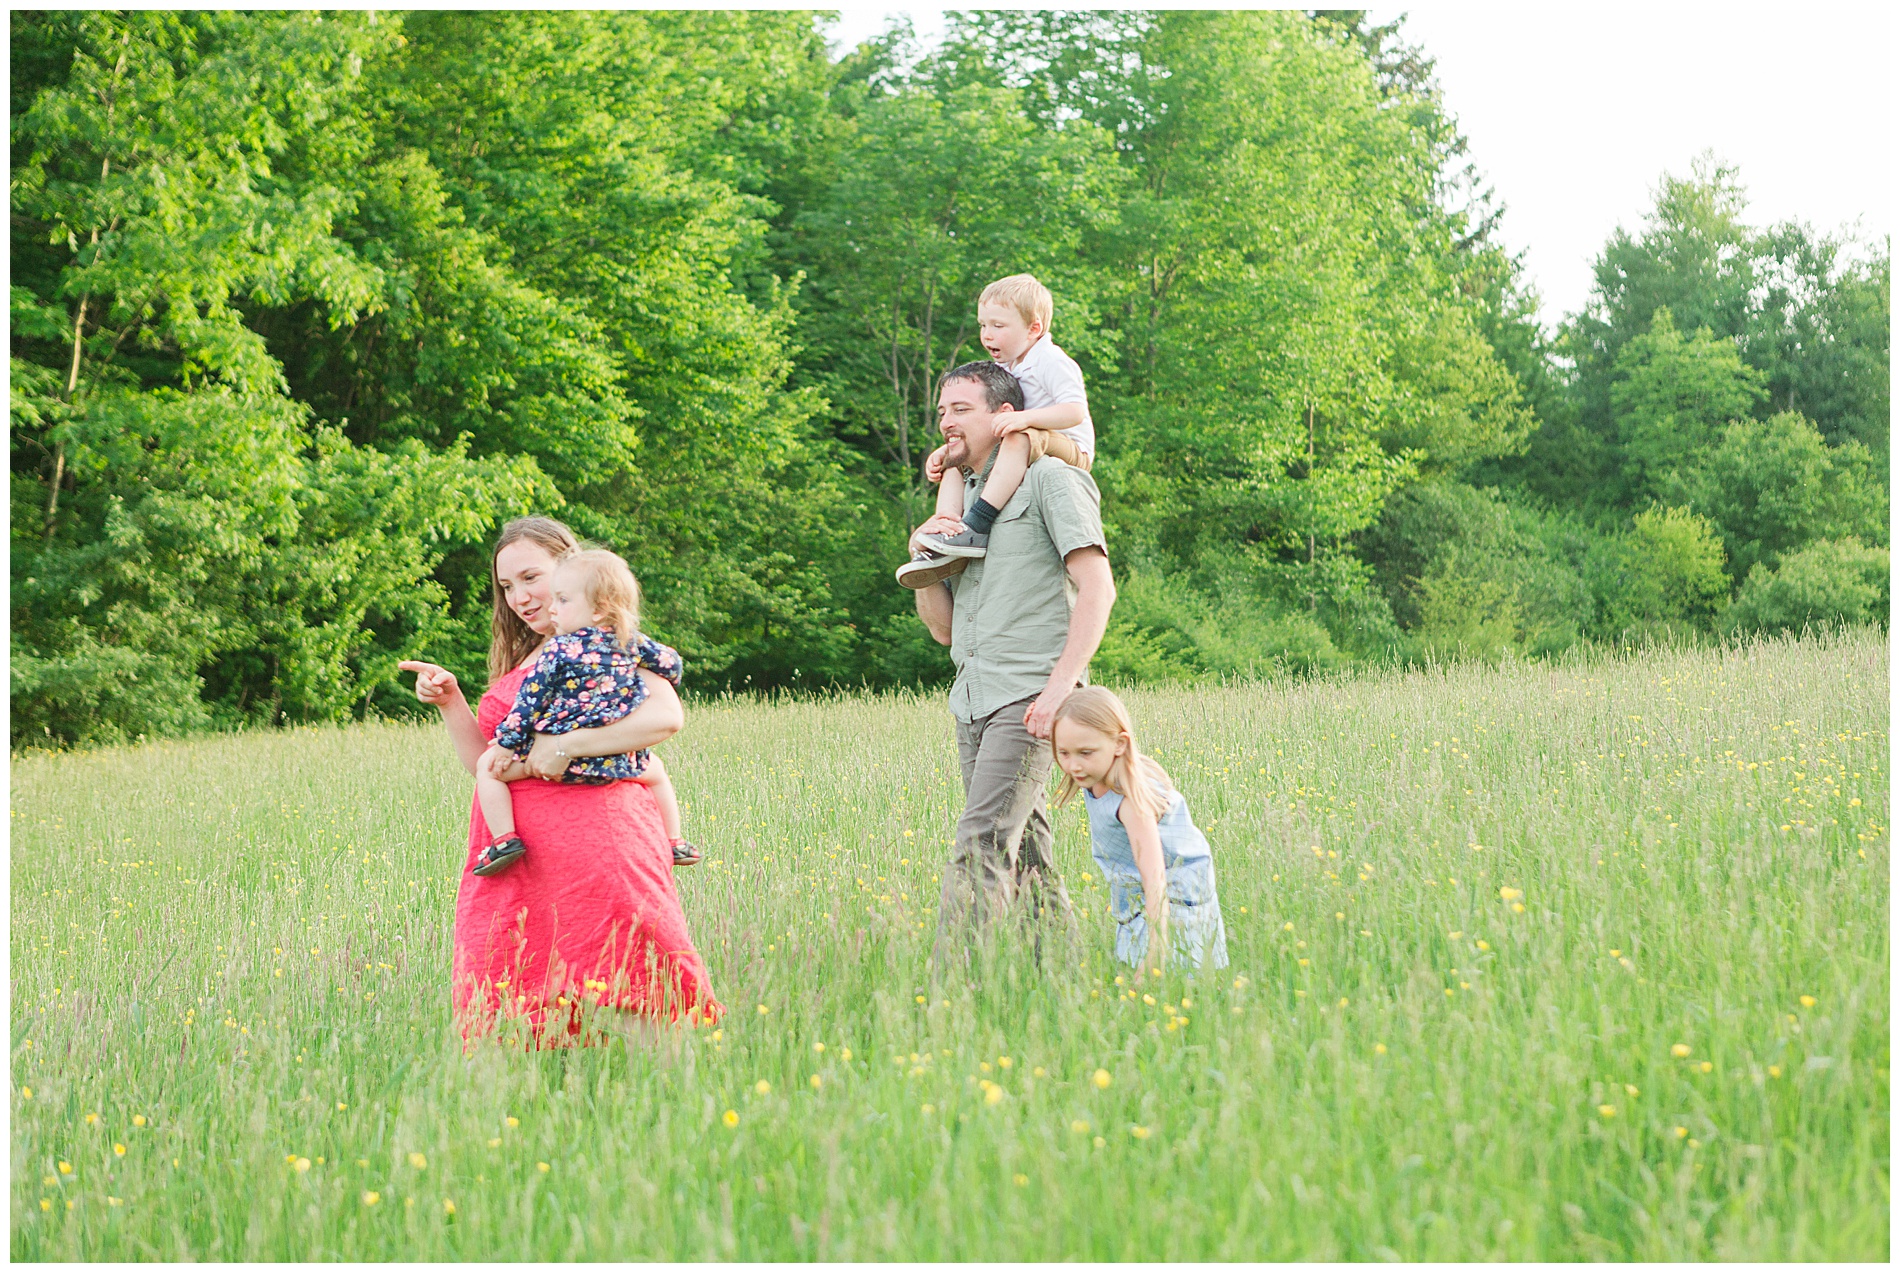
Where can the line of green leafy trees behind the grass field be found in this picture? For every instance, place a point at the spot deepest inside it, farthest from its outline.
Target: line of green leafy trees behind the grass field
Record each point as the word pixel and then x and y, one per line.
pixel 305 305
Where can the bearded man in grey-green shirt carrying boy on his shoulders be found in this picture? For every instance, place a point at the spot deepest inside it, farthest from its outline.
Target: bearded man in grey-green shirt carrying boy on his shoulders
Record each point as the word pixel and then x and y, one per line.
pixel 1021 624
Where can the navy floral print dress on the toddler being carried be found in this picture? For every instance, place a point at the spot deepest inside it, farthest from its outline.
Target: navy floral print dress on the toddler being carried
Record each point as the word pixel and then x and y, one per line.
pixel 584 681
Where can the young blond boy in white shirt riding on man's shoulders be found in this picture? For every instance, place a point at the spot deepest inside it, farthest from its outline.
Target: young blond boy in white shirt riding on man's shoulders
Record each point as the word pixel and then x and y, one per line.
pixel 1014 318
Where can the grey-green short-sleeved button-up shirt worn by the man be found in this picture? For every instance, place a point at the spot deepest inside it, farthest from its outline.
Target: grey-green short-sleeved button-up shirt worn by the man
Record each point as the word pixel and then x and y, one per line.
pixel 1012 609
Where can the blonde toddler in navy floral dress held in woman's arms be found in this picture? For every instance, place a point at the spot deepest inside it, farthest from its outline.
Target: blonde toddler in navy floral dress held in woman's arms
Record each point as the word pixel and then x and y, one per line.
pixel 588 675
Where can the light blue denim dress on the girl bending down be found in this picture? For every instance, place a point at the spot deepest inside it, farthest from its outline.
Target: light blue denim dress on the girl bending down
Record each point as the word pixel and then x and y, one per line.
pixel 1194 911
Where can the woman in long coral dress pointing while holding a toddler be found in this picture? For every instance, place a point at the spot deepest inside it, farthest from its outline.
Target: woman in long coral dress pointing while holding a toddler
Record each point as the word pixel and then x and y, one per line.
pixel 590 917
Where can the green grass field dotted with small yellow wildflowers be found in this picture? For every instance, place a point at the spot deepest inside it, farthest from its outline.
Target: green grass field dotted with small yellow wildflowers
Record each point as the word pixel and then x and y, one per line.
pixel 1578 962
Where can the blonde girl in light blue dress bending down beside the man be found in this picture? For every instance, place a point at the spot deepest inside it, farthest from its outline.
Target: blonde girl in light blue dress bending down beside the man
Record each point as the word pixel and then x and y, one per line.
pixel 1158 864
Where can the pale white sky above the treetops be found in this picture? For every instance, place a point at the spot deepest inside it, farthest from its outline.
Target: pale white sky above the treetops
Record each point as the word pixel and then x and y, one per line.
pixel 1576 113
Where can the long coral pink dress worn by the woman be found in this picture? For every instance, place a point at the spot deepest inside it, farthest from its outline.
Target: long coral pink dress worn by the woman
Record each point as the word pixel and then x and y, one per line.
pixel 588 919
